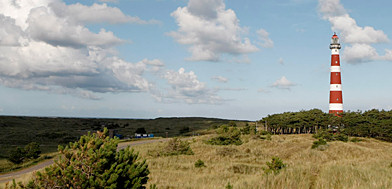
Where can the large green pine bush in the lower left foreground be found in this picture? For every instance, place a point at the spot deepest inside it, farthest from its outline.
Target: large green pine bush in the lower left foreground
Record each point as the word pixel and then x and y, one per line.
pixel 94 162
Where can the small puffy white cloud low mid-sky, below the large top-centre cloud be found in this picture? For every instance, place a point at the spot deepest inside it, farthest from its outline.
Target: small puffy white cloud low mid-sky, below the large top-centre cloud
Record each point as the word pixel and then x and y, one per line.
pixel 187 88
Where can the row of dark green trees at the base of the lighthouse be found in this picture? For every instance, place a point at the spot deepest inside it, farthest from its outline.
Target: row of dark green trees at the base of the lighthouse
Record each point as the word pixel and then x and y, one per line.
pixel 373 123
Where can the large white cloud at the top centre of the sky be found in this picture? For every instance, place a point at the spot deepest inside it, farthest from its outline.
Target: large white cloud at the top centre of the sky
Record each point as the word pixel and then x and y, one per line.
pixel 210 30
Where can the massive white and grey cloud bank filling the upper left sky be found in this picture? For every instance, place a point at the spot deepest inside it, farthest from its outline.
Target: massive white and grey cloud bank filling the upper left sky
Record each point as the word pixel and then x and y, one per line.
pixel 45 45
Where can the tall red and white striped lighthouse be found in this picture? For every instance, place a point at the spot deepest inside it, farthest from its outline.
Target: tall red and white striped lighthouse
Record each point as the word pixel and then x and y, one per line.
pixel 335 93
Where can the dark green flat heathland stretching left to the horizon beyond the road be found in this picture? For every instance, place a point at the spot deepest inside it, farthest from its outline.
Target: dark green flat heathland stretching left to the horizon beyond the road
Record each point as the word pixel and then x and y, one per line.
pixel 17 131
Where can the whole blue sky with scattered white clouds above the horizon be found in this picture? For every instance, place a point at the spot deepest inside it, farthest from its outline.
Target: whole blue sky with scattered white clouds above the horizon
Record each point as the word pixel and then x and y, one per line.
pixel 198 58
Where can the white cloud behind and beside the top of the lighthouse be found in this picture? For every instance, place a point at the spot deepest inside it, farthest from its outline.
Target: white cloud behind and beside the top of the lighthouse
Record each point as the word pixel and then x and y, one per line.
pixel 359 39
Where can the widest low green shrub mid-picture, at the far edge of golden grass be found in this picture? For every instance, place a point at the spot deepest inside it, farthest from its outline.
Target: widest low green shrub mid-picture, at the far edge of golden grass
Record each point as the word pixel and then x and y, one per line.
pixel 227 136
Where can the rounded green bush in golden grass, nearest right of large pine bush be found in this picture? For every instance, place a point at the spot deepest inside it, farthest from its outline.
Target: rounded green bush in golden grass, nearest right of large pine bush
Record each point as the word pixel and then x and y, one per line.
pixel 176 146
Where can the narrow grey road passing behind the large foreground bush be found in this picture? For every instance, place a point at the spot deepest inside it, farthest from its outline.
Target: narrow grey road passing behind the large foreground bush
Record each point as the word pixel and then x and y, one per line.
pixel 12 175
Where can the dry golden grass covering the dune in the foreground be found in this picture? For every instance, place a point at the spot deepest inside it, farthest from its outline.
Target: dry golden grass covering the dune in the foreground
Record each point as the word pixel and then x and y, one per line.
pixel 363 164
